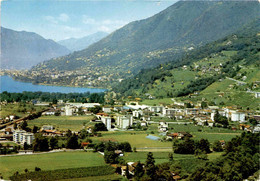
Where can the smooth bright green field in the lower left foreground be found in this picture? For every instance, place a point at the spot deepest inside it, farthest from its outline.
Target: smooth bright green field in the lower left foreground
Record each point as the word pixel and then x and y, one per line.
pixel 49 161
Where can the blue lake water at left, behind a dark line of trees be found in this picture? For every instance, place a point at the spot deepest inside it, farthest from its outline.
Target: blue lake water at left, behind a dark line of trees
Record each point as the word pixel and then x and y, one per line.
pixel 10 85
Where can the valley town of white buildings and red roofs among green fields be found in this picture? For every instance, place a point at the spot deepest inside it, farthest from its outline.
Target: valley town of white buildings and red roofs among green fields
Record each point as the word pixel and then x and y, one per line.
pixel 89 125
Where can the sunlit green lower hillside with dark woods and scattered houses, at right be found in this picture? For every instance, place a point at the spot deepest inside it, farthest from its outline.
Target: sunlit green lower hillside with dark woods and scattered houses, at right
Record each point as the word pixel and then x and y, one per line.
pixel 224 72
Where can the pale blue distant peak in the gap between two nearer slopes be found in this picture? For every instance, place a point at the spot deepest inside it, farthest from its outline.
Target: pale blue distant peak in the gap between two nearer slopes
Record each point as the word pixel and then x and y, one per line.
pixel 76 44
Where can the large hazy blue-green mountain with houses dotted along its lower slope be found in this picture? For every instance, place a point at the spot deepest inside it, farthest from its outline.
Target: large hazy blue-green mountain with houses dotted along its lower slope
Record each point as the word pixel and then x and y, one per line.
pixel 163 37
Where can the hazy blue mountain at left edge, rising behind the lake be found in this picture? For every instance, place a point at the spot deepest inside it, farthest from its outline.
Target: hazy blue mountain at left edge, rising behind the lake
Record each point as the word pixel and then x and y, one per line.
pixel 22 50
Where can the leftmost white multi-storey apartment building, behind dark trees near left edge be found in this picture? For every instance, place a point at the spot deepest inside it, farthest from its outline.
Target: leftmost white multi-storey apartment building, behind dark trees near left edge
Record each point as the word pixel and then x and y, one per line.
pixel 21 136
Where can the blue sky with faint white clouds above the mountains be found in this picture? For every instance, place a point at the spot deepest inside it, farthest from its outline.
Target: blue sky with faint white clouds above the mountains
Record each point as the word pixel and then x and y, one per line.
pixel 58 20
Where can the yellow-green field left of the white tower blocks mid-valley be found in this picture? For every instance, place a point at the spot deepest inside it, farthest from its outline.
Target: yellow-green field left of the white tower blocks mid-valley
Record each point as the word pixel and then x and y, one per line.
pixel 62 123
